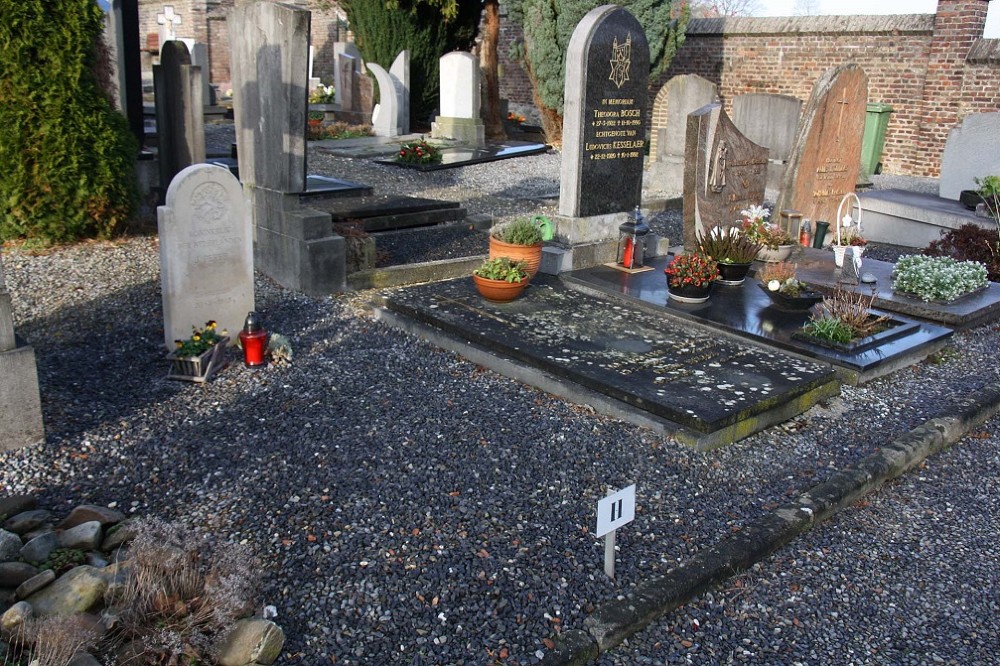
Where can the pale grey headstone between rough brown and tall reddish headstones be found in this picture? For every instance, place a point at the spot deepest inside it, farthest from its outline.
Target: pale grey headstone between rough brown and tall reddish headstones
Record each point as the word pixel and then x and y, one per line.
pixel 770 121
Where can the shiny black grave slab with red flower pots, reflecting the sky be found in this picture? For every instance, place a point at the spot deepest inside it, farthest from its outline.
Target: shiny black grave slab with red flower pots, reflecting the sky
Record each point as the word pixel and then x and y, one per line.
pixel 747 312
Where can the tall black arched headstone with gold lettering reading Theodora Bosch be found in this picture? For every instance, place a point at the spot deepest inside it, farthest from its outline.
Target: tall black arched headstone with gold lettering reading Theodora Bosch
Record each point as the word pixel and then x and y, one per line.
pixel 607 69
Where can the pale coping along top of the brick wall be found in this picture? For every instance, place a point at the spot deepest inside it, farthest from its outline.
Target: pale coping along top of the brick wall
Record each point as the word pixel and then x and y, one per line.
pixel 892 23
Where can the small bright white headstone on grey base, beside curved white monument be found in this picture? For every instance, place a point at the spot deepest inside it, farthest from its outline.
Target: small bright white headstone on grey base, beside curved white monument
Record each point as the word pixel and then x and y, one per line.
pixel 460 117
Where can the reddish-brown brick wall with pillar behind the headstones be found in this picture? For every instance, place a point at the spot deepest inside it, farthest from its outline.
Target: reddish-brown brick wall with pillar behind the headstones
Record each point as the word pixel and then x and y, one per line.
pixel 933 69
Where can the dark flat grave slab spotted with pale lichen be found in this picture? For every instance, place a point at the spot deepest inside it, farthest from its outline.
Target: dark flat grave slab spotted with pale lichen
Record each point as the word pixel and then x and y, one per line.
pixel 709 389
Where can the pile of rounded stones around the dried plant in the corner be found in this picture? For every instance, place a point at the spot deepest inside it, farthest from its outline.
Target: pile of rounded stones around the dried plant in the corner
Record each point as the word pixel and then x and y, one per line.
pixel 89 548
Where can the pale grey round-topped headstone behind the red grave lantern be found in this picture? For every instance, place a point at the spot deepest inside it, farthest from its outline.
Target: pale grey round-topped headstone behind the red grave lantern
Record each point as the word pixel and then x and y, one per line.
pixel 206 252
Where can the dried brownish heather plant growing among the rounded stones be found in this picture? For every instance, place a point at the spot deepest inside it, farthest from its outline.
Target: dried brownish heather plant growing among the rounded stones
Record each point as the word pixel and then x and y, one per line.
pixel 180 593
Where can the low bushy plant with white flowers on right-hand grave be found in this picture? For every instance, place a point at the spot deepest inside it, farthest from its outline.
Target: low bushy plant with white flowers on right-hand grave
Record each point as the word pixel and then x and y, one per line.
pixel 937 278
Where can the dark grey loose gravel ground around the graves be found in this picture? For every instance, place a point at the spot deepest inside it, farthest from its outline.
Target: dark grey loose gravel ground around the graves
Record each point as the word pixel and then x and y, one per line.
pixel 401 517
